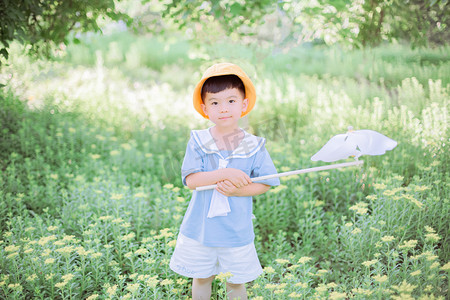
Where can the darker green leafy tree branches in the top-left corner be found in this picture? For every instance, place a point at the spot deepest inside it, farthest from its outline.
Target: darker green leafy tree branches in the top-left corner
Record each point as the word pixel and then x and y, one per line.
pixel 42 24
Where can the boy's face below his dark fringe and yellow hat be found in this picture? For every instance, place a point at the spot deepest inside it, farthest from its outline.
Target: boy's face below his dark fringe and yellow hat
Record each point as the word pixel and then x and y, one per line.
pixel 225 108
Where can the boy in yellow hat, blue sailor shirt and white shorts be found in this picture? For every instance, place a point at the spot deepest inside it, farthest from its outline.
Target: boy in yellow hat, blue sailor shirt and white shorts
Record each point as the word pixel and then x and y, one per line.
pixel 216 235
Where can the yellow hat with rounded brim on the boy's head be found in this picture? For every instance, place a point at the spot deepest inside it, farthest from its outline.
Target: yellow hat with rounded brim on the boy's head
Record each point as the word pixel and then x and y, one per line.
pixel 225 69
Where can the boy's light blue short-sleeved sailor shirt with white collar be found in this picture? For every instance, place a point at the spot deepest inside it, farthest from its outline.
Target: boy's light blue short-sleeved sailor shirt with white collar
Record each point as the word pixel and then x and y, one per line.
pixel 202 155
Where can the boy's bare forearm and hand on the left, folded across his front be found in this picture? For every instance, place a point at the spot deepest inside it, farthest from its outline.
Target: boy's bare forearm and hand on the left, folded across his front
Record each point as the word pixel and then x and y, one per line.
pixel 235 176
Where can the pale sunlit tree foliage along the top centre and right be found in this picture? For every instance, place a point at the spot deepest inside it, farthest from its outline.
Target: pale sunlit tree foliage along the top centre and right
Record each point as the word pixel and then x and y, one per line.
pixel 358 23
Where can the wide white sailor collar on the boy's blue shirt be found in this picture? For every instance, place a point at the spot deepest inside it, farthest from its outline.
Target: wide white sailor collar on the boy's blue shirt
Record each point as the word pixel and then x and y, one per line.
pixel 248 147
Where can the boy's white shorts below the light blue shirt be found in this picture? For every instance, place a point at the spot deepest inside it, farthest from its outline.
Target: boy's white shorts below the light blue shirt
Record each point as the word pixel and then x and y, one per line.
pixel 194 260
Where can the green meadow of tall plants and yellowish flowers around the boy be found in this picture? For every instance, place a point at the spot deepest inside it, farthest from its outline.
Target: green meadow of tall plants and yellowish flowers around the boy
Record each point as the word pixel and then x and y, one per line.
pixel 92 143
